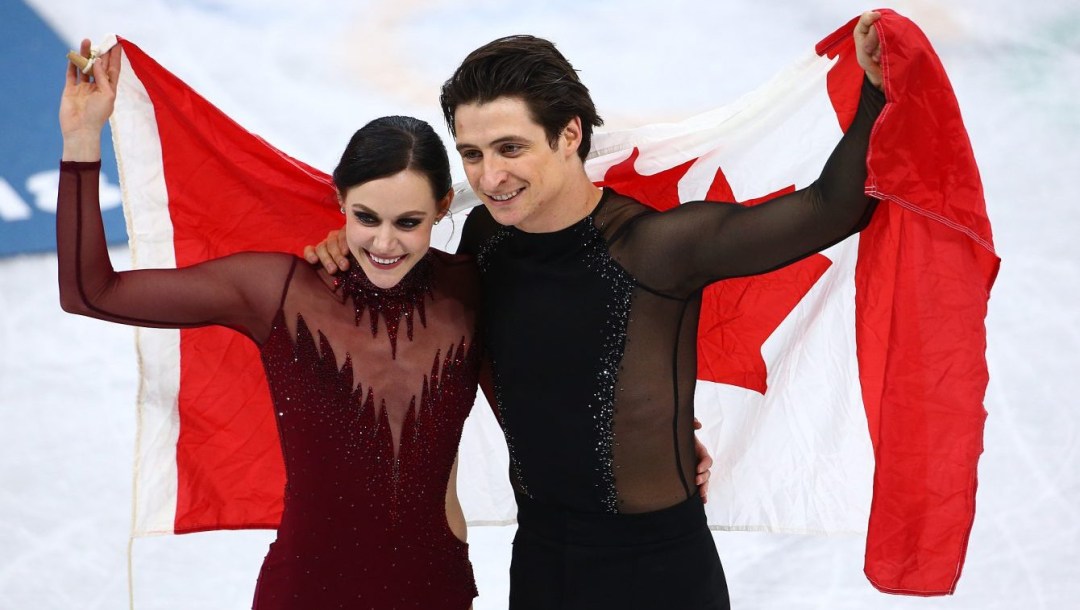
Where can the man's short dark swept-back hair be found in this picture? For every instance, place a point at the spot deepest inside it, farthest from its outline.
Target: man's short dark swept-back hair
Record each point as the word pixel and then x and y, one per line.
pixel 532 70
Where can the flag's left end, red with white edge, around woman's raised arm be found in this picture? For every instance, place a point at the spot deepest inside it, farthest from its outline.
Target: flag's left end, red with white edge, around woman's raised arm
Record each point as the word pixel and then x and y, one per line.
pixel 198 186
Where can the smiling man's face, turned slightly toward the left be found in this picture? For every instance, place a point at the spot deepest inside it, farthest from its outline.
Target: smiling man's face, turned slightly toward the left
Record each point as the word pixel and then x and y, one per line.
pixel 511 166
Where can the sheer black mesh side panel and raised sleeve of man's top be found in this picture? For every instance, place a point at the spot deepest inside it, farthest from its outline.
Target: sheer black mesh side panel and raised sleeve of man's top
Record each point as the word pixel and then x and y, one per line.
pixel 672 257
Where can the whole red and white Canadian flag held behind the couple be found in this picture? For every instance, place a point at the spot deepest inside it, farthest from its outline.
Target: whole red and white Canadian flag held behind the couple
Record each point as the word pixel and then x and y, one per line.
pixel 842 394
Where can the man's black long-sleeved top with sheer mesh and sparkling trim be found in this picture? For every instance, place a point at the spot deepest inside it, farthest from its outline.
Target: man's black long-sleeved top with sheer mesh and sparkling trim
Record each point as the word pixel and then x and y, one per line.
pixel 619 294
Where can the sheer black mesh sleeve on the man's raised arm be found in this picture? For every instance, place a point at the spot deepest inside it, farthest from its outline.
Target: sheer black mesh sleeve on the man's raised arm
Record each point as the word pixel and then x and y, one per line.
pixel 697 243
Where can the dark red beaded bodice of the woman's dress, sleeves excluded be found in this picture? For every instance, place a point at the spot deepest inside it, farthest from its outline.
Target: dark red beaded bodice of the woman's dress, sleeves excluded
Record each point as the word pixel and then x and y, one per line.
pixel 370 421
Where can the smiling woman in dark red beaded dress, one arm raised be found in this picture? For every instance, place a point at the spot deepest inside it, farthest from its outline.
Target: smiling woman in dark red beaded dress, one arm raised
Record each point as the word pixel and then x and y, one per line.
pixel 372 375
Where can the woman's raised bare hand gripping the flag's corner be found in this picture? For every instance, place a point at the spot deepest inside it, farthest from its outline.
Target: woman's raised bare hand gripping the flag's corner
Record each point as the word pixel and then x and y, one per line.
pixel 87 104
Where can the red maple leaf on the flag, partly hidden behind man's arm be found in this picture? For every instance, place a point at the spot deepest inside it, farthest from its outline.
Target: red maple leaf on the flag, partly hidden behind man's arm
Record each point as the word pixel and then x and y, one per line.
pixel 738 316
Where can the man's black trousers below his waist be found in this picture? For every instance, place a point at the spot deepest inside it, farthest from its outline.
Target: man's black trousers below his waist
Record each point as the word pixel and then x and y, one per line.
pixel 661 561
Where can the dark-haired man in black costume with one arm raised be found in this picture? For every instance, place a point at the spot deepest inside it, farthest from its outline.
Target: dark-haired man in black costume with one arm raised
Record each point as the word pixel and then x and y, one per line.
pixel 591 309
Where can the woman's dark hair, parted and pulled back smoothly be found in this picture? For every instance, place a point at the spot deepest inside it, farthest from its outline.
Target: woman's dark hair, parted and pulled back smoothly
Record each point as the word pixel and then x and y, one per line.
pixel 390 145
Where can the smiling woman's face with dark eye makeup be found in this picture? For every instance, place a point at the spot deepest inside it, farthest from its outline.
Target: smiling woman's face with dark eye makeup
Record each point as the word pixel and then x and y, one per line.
pixel 388 225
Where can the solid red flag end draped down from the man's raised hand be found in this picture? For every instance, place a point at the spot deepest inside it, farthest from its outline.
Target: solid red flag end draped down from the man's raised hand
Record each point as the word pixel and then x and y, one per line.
pixel 926 268
